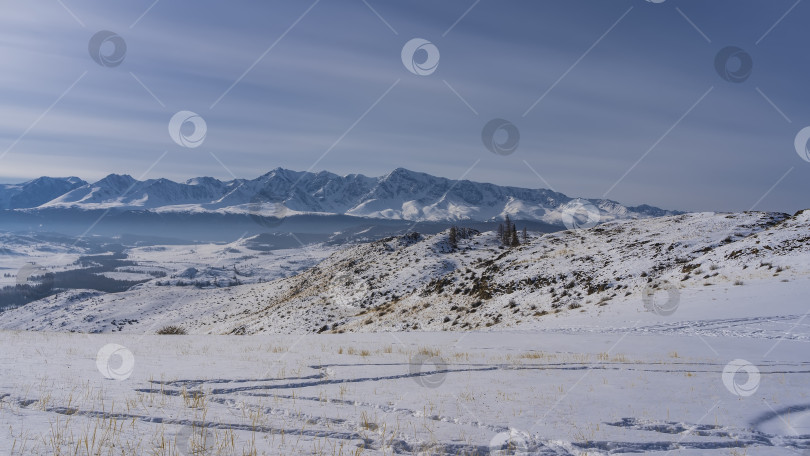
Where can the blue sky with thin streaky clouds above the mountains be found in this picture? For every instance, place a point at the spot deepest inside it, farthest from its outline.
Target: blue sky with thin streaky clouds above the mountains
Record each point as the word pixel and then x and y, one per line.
pixel 321 85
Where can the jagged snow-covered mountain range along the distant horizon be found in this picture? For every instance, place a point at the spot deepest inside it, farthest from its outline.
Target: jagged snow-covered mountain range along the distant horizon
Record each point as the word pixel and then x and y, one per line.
pixel 399 195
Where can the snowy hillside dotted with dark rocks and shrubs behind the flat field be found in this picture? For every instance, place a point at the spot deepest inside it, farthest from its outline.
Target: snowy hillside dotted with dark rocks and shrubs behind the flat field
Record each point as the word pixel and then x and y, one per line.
pixel 419 282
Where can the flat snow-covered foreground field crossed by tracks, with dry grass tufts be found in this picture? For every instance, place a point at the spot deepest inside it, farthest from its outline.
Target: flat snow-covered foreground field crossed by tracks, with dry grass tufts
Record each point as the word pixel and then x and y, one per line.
pixel 632 384
